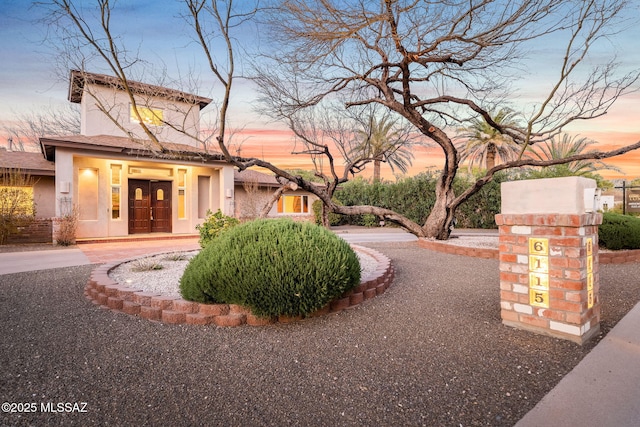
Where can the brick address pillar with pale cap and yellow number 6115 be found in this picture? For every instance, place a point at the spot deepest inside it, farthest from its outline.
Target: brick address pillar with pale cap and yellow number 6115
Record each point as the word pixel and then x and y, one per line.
pixel 549 277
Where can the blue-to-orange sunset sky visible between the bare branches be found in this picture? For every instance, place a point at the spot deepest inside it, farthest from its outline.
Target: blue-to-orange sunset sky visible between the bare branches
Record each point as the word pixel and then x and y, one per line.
pixel 28 81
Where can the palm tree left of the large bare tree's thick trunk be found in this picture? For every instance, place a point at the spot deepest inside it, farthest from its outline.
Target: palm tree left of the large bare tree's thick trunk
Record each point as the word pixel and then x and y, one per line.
pixel 382 141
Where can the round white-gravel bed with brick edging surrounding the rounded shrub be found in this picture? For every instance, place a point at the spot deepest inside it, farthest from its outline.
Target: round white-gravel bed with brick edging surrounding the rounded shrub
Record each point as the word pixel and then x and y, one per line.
pixel 108 287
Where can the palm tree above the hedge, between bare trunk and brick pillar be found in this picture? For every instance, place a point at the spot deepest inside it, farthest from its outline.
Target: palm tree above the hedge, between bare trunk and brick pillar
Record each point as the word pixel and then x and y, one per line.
pixel 483 144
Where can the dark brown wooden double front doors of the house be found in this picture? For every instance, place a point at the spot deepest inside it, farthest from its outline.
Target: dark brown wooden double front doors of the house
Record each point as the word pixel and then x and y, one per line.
pixel 149 206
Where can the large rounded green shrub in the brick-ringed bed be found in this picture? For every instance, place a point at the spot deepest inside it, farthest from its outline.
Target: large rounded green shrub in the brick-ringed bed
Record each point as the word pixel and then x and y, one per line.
pixel 274 267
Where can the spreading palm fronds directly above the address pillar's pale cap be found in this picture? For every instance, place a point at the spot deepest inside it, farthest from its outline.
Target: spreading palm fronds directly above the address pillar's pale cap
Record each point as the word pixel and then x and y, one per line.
pixel 565 147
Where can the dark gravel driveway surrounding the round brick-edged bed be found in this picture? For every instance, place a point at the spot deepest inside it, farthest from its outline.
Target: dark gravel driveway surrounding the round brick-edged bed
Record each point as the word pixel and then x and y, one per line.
pixel 430 351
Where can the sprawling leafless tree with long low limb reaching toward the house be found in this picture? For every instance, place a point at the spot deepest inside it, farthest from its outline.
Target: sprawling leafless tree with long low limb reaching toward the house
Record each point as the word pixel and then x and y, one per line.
pixel 434 64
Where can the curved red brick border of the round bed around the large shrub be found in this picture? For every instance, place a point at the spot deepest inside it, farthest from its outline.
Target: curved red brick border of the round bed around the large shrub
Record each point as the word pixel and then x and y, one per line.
pixel 103 291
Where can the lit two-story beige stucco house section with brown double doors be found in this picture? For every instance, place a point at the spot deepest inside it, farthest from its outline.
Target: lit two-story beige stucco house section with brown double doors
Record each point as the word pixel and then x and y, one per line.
pixel 121 181
